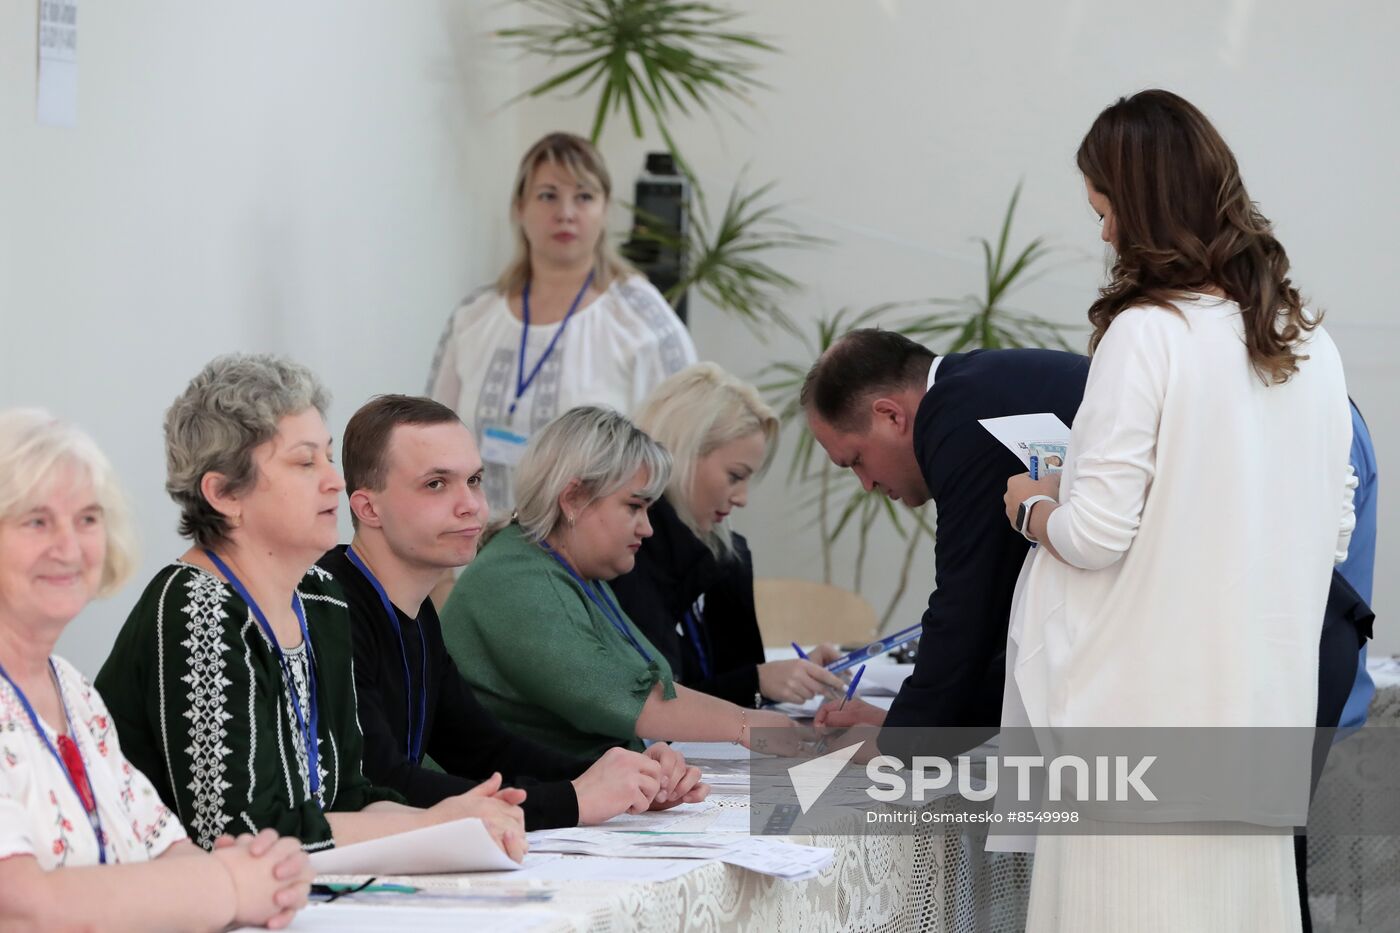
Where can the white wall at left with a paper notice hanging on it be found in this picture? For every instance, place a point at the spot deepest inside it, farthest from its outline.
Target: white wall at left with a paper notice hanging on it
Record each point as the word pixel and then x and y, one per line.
pixel 321 180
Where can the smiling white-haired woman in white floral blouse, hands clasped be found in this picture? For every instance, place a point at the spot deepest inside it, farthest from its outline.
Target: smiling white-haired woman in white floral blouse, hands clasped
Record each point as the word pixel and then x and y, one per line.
pixel 85 838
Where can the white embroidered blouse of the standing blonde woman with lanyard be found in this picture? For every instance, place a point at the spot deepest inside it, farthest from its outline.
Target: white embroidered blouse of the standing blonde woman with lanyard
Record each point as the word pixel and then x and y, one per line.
pixel 614 352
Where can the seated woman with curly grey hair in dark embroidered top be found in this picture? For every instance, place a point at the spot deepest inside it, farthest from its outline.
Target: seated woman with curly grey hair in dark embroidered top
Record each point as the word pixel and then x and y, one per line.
pixel 232 680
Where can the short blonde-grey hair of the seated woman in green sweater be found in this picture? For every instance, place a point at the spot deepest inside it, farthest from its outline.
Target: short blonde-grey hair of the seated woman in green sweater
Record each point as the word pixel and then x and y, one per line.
pixel 600 449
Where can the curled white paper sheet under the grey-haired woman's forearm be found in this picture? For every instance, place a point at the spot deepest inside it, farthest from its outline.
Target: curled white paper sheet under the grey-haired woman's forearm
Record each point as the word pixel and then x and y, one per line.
pixel 463 845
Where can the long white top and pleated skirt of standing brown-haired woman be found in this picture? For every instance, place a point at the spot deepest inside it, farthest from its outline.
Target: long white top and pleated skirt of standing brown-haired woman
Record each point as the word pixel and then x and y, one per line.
pixel 1202 513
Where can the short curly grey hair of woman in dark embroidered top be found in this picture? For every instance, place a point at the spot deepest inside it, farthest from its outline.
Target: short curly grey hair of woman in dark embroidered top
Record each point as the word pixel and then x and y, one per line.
pixel 229 410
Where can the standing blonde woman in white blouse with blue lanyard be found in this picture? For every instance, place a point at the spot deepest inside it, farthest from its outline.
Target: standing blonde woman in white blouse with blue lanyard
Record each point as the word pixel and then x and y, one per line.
pixel 568 323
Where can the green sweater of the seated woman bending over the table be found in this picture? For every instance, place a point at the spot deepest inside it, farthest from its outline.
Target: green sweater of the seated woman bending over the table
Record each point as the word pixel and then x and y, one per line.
pixel 542 656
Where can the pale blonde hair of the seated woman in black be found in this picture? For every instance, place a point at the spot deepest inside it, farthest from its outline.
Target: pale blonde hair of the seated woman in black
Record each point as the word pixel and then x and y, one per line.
pixel 695 413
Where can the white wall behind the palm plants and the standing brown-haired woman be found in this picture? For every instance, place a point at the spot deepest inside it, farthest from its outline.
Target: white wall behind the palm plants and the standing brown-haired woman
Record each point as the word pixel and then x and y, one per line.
pixel 899 128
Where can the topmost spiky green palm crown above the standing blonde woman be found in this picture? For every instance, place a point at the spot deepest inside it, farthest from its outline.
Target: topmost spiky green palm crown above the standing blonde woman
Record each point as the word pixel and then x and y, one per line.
pixel 660 57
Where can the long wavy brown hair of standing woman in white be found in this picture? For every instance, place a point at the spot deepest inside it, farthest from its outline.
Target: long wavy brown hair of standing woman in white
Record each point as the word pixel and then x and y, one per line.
pixel 1185 222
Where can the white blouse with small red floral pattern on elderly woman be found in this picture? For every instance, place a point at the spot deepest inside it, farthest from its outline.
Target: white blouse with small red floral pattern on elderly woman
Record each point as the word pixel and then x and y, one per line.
pixel 40 813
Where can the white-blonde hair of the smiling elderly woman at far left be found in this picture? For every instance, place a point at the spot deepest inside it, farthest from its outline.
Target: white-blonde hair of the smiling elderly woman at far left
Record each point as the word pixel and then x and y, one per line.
pixel 34 448
